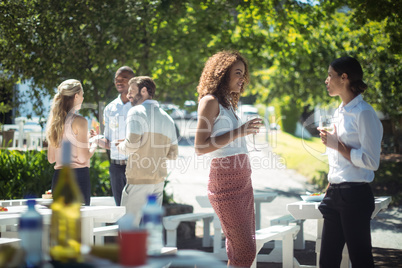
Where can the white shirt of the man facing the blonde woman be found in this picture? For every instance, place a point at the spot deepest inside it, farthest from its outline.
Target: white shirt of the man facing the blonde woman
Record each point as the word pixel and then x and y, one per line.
pixel 115 115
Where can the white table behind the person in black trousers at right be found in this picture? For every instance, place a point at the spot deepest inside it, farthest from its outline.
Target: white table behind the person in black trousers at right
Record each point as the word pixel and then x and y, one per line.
pixel 309 210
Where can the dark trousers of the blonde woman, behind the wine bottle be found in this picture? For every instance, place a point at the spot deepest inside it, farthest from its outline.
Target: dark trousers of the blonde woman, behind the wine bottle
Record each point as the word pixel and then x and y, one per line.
pixel 83 181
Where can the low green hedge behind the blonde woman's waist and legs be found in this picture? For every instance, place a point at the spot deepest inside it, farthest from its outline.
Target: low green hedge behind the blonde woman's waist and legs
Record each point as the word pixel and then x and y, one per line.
pixel 24 173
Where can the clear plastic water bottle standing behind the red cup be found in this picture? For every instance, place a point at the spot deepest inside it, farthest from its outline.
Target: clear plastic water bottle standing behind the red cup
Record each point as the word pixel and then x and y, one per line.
pixel 152 214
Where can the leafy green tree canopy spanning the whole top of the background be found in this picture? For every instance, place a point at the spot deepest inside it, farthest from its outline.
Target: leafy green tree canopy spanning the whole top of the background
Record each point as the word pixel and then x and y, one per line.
pixel 289 45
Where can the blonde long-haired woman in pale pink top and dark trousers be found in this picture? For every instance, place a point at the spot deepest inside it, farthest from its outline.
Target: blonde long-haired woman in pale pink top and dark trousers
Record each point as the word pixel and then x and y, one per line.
pixel 64 123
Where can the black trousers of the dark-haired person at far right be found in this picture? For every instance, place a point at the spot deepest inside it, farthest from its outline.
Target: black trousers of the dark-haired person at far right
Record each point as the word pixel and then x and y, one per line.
pixel 347 210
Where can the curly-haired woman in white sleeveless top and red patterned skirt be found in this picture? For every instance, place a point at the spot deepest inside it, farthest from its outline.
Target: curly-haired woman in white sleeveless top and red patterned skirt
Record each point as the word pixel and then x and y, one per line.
pixel 220 134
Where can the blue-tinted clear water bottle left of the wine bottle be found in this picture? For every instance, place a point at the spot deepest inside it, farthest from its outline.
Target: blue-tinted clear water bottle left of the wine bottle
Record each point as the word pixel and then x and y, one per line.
pixel 30 232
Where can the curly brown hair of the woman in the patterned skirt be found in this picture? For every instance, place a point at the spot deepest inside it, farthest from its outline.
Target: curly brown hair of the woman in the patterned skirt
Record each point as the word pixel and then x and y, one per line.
pixel 215 78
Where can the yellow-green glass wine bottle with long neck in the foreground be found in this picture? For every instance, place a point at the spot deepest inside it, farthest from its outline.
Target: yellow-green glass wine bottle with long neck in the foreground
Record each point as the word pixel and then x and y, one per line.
pixel 65 229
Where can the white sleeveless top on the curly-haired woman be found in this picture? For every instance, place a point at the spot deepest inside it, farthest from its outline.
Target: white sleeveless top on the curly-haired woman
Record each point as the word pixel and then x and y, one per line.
pixel 225 122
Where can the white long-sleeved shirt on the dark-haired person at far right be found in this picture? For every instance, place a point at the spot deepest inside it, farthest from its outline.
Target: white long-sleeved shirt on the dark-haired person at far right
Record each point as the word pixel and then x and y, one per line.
pixel 358 127
